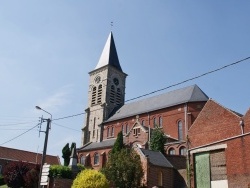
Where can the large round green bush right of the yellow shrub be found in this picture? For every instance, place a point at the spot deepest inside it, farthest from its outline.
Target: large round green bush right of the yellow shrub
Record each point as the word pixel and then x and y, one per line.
pixel 124 169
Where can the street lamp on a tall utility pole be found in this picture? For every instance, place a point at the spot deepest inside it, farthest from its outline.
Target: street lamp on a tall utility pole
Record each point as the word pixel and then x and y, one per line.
pixel 45 141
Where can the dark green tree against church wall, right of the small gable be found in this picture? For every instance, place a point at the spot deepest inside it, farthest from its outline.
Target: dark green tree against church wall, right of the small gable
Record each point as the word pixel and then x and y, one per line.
pixel 157 140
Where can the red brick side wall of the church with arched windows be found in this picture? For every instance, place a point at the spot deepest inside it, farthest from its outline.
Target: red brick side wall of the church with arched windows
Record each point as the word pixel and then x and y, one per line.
pixel 169 123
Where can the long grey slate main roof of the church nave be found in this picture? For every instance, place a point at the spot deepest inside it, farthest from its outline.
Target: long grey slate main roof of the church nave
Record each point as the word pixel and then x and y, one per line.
pixel 180 96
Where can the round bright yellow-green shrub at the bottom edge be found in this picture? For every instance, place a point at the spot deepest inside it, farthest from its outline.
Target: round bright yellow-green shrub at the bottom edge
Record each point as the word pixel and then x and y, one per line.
pixel 90 179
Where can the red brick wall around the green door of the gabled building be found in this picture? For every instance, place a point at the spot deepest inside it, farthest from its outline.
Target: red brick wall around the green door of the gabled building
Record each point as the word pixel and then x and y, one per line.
pixel 216 123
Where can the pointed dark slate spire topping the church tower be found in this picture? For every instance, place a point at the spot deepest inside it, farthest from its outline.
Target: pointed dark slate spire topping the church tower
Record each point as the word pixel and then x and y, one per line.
pixel 109 55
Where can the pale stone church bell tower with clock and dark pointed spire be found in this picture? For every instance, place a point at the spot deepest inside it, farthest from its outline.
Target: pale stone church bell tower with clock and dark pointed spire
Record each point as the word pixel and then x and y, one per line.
pixel 106 92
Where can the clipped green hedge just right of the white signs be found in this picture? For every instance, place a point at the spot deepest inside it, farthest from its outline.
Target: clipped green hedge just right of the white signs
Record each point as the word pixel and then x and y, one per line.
pixel 59 171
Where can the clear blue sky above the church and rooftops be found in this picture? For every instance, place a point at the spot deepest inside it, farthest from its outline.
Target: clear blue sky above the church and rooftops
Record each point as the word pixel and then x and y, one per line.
pixel 47 49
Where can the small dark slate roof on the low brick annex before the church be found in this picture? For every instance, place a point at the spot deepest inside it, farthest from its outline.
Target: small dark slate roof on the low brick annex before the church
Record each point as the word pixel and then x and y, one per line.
pixel 156 158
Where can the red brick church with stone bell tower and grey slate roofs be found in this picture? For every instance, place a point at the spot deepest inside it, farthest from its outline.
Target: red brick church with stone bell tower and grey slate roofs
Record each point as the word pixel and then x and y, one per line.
pixel 107 114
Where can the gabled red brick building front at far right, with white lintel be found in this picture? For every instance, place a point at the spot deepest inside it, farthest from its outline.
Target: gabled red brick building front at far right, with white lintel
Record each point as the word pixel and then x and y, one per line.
pixel 220 130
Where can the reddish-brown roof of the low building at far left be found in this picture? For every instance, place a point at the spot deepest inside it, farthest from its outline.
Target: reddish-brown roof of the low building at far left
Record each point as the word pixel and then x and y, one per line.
pixel 26 156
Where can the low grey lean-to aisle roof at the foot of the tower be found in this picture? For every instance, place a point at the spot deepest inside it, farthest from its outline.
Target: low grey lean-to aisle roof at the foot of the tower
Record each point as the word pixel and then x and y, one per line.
pixel 96 145
